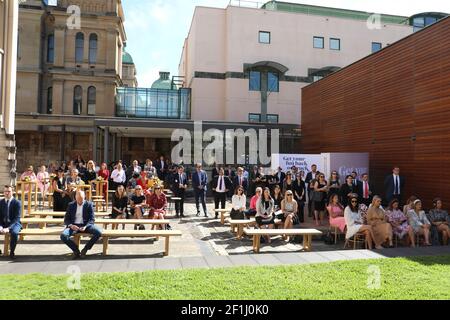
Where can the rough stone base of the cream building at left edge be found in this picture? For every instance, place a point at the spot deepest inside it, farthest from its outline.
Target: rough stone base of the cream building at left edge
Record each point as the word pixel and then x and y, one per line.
pixel 8 161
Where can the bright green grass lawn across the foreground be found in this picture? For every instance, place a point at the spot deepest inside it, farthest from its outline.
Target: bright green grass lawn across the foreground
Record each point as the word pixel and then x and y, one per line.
pixel 415 278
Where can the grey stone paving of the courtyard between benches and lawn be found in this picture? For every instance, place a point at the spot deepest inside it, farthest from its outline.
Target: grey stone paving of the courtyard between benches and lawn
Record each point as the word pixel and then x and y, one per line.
pixel 205 243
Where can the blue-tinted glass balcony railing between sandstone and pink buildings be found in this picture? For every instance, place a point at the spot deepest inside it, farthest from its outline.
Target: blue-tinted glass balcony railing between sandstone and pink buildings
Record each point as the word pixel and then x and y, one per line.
pixel 153 103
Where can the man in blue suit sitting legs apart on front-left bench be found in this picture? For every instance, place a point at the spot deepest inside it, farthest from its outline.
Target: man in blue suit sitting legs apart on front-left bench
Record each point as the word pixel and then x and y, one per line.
pixel 80 219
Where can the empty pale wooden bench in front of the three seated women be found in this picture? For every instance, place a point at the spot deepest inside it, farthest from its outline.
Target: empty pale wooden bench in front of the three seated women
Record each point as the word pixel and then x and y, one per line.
pixel 306 233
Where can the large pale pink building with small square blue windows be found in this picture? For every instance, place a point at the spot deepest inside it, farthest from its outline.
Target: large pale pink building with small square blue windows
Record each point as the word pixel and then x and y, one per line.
pixel 248 65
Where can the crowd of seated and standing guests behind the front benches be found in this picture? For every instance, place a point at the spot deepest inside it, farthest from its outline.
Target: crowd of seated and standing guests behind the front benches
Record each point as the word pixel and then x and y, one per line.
pixel 274 199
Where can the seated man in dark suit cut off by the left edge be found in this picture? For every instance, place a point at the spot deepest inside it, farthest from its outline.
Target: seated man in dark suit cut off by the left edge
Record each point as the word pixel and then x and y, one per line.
pixel 10 213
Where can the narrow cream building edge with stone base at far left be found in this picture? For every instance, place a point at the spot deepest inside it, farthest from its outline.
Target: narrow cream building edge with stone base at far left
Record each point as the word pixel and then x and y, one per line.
pixel 8 53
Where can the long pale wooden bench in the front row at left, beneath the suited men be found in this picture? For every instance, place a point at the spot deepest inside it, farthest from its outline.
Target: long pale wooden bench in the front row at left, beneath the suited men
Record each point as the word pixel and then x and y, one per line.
pixel 106 235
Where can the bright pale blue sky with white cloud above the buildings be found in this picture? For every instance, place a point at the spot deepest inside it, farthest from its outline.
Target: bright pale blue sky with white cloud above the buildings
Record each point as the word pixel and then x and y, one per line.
pixel 156 29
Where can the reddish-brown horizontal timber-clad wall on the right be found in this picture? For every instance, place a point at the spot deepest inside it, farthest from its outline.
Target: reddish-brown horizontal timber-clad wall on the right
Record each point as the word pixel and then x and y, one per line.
pixel 394 104
